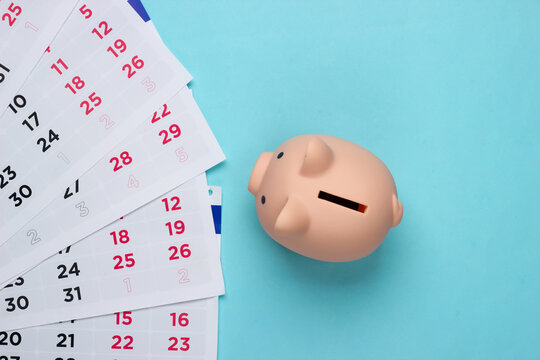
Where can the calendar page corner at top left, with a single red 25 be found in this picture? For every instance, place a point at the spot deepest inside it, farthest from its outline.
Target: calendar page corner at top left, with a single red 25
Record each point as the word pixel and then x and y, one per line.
pixel 26 29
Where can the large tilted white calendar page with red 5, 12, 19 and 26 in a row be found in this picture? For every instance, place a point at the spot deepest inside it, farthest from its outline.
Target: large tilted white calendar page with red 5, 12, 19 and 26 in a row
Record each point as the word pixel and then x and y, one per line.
pixel 103 73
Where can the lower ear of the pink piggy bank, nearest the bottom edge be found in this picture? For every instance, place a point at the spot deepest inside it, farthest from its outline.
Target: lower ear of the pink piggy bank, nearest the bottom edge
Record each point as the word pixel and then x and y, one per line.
pixel 293 218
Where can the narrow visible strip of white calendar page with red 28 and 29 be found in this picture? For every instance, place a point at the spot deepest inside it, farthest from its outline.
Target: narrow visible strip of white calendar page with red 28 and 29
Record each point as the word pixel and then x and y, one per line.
pixel 103 195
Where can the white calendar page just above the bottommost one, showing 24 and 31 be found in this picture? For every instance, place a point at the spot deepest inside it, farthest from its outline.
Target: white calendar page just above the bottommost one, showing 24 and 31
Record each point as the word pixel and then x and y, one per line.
pixel 163 253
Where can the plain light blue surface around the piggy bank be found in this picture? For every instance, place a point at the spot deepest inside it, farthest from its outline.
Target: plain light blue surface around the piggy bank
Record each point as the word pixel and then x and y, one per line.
pixel 447 94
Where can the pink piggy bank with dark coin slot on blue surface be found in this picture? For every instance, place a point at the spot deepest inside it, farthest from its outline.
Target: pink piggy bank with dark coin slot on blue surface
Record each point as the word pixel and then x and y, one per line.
pixel 325 197
